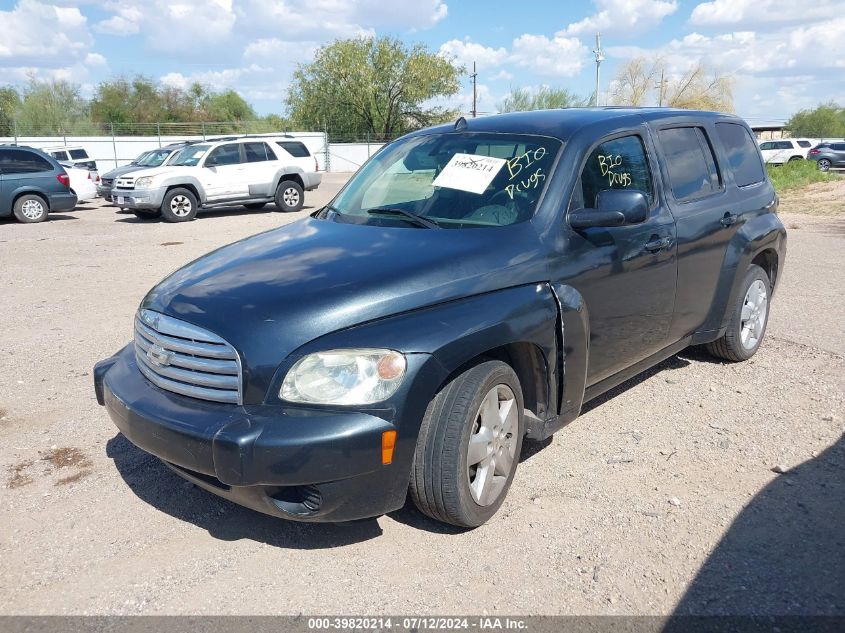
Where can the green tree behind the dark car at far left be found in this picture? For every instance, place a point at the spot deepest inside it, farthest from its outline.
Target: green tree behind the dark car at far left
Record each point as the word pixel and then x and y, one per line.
pixel 53 107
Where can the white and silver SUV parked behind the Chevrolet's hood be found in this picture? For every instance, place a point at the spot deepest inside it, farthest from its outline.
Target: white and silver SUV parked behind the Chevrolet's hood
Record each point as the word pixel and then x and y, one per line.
pixel 249 171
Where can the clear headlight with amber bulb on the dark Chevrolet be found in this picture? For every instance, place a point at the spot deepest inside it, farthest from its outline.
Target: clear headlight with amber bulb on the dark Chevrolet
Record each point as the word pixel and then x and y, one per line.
pixel 344 376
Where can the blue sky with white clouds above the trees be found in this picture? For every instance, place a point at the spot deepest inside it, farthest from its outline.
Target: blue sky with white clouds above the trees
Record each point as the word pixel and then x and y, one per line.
pixel 784 55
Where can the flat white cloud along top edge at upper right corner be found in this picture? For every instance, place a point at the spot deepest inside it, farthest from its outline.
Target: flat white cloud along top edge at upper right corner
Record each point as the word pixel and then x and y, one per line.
pixel 754 13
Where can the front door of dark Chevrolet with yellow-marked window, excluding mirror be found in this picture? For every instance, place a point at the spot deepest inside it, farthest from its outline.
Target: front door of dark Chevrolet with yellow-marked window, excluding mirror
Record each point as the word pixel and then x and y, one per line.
pixel 626 274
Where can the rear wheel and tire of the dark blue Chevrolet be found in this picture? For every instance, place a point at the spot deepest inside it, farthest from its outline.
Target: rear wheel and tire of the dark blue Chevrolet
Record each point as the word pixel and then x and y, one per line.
pixel 749 317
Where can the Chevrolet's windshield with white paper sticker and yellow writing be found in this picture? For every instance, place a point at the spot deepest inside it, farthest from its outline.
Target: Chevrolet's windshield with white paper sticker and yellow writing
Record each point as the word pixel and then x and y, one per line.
pixel 454 180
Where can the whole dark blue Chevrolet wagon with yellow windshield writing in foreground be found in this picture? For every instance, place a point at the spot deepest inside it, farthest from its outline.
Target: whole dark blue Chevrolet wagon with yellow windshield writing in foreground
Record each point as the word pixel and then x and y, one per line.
pixel 472 285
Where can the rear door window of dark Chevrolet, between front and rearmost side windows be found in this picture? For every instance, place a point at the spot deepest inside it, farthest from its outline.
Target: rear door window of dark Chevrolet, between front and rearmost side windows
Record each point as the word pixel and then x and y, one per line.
pixel 690 162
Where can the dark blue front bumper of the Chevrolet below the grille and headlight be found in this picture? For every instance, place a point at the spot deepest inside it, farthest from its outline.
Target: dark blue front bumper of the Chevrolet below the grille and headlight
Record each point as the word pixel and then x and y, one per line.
pixel 290 462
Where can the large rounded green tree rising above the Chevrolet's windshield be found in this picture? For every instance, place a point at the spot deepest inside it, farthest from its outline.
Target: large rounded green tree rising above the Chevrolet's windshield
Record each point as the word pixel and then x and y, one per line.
pixel 369 85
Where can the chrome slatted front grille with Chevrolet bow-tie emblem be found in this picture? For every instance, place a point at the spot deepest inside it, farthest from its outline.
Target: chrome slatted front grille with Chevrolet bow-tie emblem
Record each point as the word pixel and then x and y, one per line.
pixel 186 359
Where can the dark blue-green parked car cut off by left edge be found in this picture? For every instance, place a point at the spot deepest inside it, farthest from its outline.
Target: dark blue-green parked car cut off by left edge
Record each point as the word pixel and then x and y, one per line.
pixel 32 184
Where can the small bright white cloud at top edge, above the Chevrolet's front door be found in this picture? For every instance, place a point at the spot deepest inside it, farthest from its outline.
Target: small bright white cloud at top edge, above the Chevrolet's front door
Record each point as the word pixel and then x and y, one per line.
pixel 623 17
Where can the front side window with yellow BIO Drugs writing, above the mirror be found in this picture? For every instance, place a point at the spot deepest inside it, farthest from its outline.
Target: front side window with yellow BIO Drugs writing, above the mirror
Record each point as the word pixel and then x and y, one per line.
pixel 620 163
